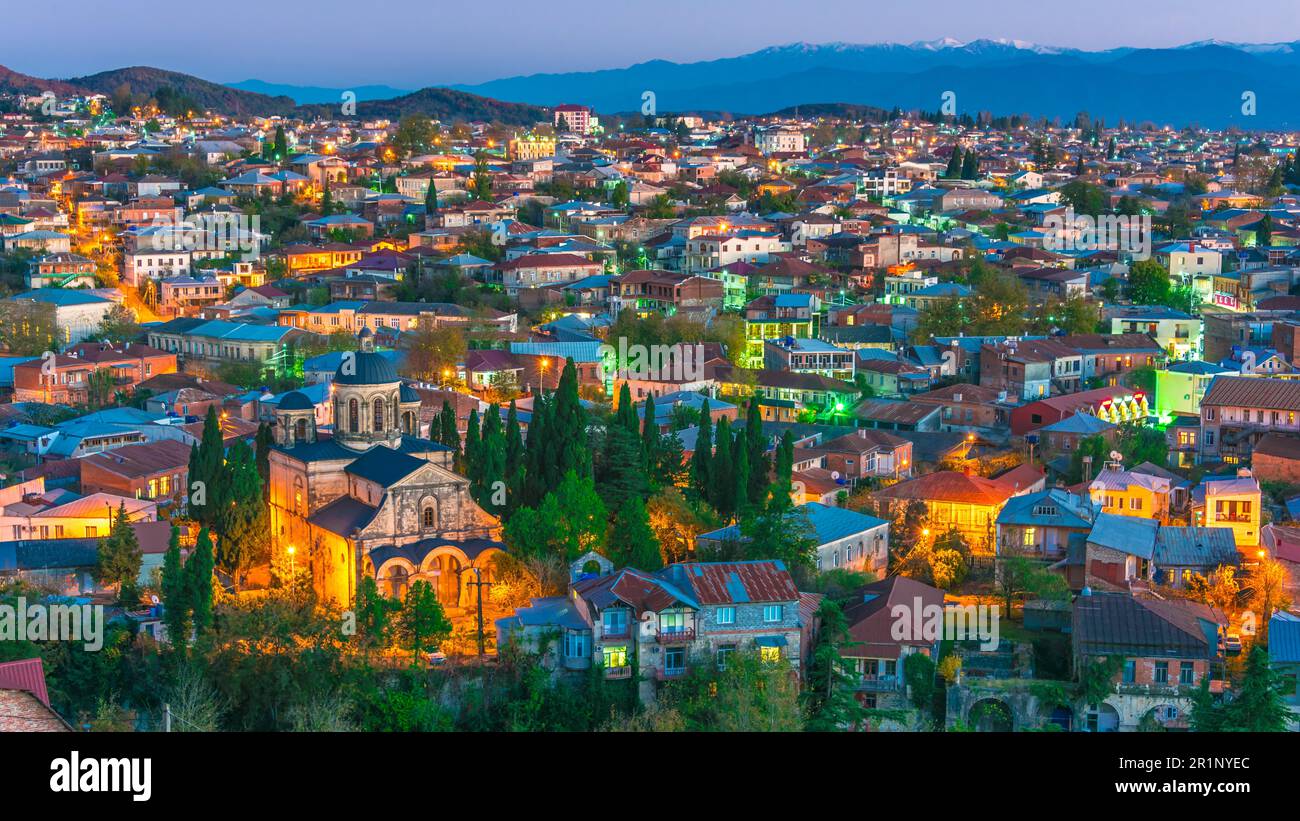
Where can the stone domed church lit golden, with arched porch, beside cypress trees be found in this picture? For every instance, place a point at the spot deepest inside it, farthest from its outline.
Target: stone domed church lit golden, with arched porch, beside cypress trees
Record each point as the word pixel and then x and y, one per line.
pixel 374 498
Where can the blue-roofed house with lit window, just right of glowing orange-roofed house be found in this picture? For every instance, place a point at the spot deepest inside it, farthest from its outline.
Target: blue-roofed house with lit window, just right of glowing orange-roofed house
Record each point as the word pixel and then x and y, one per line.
pixel 1041 524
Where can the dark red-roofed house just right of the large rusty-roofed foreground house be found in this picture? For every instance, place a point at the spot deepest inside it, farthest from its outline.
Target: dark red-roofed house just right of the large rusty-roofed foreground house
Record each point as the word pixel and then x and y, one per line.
pixel 876 653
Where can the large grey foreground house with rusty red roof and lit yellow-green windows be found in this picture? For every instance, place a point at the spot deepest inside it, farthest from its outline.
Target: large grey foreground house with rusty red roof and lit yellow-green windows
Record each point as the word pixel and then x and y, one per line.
pixel 664 623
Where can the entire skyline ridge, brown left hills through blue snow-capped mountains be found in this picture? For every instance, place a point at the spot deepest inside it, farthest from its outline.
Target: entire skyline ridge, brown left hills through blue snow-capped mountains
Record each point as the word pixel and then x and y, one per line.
pixel 1203 84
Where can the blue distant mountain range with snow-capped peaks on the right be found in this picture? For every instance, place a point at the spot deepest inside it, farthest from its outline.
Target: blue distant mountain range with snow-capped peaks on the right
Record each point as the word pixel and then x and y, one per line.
pixel 1199 82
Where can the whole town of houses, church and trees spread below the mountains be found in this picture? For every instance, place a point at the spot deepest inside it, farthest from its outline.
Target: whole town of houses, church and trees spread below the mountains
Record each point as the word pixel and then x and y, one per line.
pixel 445 412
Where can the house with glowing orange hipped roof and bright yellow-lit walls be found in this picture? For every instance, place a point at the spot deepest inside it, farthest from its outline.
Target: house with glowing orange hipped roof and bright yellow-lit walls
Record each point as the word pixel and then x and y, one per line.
pixel 968 503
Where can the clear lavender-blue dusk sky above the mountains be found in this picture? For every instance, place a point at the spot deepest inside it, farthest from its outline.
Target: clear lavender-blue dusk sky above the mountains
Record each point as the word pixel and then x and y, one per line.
pixel 417 44
